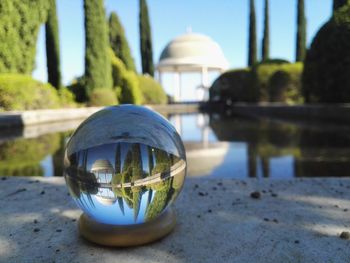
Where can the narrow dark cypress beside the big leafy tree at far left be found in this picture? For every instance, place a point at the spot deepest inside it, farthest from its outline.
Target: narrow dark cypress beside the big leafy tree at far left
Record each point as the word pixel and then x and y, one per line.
pixel 52 47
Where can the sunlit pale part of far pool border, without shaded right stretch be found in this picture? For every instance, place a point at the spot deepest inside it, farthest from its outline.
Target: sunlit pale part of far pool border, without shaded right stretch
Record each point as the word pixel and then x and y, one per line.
pixel 33 117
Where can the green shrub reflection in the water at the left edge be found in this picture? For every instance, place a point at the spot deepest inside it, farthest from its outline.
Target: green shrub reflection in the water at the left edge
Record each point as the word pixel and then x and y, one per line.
pixel 22 157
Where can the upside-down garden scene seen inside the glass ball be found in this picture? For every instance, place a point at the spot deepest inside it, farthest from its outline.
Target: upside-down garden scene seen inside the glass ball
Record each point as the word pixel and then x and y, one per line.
pixel 124 183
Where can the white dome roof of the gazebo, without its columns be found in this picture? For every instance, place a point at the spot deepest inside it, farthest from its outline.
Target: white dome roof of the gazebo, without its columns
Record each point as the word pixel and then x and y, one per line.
pixel 192 52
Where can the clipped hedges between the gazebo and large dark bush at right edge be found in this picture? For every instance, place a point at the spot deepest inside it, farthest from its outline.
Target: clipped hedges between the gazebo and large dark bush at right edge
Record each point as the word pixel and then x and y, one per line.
pixel 280 82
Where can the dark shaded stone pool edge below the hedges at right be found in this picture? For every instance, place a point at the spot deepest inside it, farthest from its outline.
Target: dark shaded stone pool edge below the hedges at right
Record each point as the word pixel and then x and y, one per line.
pixel 339 113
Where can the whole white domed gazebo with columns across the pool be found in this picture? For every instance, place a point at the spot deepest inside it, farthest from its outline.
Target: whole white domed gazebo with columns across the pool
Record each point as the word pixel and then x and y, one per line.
pixel 191 52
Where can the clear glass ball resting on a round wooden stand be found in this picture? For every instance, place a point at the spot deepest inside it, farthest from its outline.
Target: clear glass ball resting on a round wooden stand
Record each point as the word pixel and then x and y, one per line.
pixel 125 165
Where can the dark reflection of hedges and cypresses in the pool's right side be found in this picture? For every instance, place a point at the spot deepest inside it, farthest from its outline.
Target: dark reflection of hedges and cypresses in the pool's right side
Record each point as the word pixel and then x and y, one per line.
pixel 279 148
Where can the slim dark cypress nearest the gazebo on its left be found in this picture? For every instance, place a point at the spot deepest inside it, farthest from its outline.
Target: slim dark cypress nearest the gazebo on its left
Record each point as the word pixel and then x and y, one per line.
pixel 145 39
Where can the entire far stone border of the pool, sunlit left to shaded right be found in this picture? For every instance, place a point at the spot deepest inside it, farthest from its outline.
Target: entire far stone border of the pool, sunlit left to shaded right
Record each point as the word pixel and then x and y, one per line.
pixel 338 113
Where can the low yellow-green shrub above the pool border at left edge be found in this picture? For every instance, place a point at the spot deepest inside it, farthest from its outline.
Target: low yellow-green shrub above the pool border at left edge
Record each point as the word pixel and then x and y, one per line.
pixel 21 92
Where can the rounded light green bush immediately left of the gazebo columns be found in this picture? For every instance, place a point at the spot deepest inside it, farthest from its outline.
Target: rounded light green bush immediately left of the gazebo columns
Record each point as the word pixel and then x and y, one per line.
pixel 152 91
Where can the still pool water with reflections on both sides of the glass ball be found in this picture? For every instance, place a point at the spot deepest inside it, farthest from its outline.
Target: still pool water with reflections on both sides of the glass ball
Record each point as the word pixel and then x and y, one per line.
pixel 216 146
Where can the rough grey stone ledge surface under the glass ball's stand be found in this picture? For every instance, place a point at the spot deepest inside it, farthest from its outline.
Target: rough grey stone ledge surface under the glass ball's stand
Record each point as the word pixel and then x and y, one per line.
pixel 293 221
